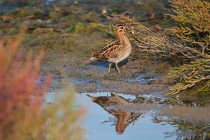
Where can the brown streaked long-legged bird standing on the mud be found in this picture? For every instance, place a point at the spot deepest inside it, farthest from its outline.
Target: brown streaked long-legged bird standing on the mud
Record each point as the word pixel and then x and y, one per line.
pixel 116 51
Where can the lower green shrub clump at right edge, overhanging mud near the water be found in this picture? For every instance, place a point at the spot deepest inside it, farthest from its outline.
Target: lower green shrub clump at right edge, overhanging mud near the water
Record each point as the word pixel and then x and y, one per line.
pixel 190 75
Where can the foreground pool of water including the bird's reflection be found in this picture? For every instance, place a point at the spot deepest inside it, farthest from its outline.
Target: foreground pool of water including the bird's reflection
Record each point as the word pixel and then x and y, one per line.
pixel 122 116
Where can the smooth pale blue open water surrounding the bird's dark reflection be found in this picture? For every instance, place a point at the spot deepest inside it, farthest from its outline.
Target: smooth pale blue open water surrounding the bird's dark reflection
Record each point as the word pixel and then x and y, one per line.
pixel 99 124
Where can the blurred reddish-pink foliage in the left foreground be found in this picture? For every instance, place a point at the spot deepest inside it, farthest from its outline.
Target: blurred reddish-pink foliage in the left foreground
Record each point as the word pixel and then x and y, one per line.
pixel 20 87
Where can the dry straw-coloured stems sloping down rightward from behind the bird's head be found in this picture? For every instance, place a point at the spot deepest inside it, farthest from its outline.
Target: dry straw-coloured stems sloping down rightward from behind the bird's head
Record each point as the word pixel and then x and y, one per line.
pixel 156 43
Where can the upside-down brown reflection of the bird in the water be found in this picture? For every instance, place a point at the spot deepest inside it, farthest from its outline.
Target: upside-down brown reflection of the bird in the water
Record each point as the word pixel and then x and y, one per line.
pixel 114 105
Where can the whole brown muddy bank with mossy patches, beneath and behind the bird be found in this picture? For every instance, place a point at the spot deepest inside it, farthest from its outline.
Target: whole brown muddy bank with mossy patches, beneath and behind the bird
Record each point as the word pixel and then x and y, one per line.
pixel 71 31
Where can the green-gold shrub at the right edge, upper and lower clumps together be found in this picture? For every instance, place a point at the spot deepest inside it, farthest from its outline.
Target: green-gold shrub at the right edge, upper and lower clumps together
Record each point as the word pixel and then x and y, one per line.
pixel 193 26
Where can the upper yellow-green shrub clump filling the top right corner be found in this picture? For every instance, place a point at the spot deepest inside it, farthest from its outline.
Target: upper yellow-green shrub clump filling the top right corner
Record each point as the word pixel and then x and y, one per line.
pixel 193 22
